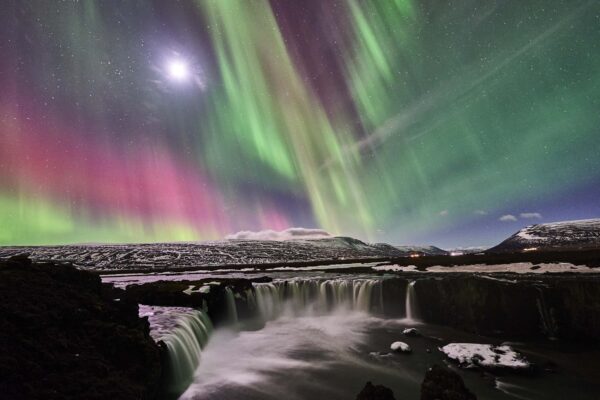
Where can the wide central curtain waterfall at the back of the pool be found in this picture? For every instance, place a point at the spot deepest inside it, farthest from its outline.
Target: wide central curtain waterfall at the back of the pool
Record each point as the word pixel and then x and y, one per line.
pixel 300 296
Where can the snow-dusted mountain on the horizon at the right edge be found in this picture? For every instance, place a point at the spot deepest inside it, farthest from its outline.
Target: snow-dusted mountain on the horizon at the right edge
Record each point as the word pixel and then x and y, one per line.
pixel 567 235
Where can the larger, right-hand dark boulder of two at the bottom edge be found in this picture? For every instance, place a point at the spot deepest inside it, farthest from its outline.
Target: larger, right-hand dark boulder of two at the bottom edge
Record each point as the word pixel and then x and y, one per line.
pixel 441 383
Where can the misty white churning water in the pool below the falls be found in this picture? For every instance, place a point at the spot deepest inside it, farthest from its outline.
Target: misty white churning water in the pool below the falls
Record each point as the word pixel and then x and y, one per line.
pixel 292 357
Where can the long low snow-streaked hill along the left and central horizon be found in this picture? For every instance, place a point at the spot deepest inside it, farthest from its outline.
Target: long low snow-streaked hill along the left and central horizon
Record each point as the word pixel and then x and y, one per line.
pixel 234 252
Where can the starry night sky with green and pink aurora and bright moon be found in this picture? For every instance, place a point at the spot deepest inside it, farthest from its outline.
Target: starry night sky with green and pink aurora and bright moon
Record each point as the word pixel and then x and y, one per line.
pixel 392 120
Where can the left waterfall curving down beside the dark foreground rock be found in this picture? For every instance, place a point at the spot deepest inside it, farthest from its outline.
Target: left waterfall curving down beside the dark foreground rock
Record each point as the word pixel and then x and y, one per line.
pixel 185 332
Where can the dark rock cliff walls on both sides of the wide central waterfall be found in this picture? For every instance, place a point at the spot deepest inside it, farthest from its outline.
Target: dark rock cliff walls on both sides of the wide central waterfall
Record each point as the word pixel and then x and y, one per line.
pixel 518 306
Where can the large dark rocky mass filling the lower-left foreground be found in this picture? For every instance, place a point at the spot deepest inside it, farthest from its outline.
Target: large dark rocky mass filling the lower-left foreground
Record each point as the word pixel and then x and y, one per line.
pixel 63 336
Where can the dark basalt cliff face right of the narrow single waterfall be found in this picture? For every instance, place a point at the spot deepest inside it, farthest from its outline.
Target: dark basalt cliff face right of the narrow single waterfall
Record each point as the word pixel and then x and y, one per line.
pixel 563 306
